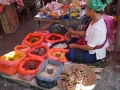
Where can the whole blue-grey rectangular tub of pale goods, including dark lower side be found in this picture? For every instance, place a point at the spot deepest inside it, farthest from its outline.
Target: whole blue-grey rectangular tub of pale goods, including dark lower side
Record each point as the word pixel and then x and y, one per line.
pixel 49 73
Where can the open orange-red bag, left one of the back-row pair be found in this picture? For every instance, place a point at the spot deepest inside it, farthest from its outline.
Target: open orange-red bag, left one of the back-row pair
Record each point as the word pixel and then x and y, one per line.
pixel 33 39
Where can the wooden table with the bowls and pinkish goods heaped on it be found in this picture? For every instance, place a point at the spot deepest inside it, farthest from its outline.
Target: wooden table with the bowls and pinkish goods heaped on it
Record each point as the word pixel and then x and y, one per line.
pixel 46 14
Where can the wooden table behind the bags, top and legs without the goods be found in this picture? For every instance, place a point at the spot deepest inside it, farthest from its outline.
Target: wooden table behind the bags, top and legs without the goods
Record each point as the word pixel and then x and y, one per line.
pixel 49 21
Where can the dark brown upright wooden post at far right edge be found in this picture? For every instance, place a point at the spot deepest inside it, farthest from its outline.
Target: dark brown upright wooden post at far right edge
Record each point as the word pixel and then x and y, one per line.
pixel 117 44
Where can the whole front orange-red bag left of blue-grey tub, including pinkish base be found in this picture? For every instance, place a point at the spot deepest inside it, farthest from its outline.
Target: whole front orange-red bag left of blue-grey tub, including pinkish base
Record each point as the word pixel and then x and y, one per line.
pixel 29 67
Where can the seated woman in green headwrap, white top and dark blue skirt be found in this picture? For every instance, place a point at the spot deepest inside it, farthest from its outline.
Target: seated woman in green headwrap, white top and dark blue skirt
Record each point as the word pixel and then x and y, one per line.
pixel 92 46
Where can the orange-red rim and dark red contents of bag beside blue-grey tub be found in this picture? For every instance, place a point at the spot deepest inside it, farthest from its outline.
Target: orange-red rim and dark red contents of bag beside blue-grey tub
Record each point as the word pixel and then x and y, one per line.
pixel 28 65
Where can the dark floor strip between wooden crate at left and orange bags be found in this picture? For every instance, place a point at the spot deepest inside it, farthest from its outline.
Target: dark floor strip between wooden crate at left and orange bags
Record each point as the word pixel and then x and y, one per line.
pixel 9 41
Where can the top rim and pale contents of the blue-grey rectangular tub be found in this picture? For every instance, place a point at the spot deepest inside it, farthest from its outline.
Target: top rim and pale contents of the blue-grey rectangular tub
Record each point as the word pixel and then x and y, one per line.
pixel 50 70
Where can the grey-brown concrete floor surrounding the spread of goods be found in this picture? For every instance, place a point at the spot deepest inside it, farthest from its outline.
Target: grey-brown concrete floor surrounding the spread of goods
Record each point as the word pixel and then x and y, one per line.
pixel 110 76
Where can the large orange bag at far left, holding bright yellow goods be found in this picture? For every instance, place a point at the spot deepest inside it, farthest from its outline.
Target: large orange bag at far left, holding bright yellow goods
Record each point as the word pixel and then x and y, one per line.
pixel 10 67
